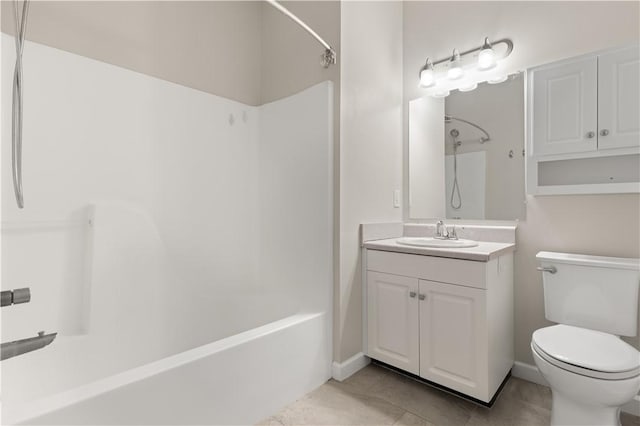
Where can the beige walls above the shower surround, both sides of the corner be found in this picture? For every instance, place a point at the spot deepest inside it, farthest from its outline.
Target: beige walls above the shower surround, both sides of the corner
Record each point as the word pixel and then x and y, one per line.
pixel 241 50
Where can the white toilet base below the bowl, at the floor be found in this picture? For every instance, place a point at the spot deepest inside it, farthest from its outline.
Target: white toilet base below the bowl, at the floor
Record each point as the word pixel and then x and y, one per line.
pixel 567 411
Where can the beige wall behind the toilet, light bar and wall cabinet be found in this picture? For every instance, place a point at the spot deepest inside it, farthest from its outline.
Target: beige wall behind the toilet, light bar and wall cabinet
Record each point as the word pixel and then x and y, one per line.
pixel 541 32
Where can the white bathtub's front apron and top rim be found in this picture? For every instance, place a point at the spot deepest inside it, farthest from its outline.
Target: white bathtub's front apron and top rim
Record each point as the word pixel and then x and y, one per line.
pixel 237 380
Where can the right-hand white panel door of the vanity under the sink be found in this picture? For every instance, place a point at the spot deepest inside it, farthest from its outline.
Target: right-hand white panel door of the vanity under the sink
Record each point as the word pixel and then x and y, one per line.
pixel 453 337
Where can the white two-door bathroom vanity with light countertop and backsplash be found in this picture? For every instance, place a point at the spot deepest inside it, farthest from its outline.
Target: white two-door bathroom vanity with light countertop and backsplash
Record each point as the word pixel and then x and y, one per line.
pixel 443 314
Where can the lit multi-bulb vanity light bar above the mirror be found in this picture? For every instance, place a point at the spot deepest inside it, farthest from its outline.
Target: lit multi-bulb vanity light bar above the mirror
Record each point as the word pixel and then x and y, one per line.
pixel 465 70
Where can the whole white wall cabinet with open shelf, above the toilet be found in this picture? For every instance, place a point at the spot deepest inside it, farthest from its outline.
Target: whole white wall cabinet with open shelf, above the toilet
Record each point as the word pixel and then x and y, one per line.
pixel 583 124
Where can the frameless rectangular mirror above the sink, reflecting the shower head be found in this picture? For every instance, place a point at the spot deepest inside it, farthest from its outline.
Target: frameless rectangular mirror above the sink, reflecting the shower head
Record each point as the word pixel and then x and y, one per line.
pixel 466 154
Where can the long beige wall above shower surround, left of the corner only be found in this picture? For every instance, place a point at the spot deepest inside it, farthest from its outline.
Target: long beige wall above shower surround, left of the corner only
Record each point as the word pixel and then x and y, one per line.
pixel 211 46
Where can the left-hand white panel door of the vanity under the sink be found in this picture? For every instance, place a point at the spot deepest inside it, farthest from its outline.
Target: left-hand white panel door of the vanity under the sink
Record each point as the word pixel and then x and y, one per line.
pixel 392 316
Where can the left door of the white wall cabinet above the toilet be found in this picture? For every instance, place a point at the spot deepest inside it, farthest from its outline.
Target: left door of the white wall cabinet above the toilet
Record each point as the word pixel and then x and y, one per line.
pixel 565 112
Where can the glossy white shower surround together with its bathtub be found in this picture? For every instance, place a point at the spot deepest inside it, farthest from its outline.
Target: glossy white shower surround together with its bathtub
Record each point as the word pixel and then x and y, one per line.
pixel 179 242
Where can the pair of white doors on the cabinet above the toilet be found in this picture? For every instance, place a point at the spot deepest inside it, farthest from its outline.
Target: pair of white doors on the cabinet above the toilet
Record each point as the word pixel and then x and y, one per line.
pixel 587 104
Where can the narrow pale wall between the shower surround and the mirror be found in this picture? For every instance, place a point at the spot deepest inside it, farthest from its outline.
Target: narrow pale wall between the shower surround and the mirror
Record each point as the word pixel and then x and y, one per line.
pixel 371 147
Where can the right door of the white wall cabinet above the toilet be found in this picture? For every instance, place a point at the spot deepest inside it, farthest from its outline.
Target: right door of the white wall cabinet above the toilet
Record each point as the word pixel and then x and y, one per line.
pixel 619 99
